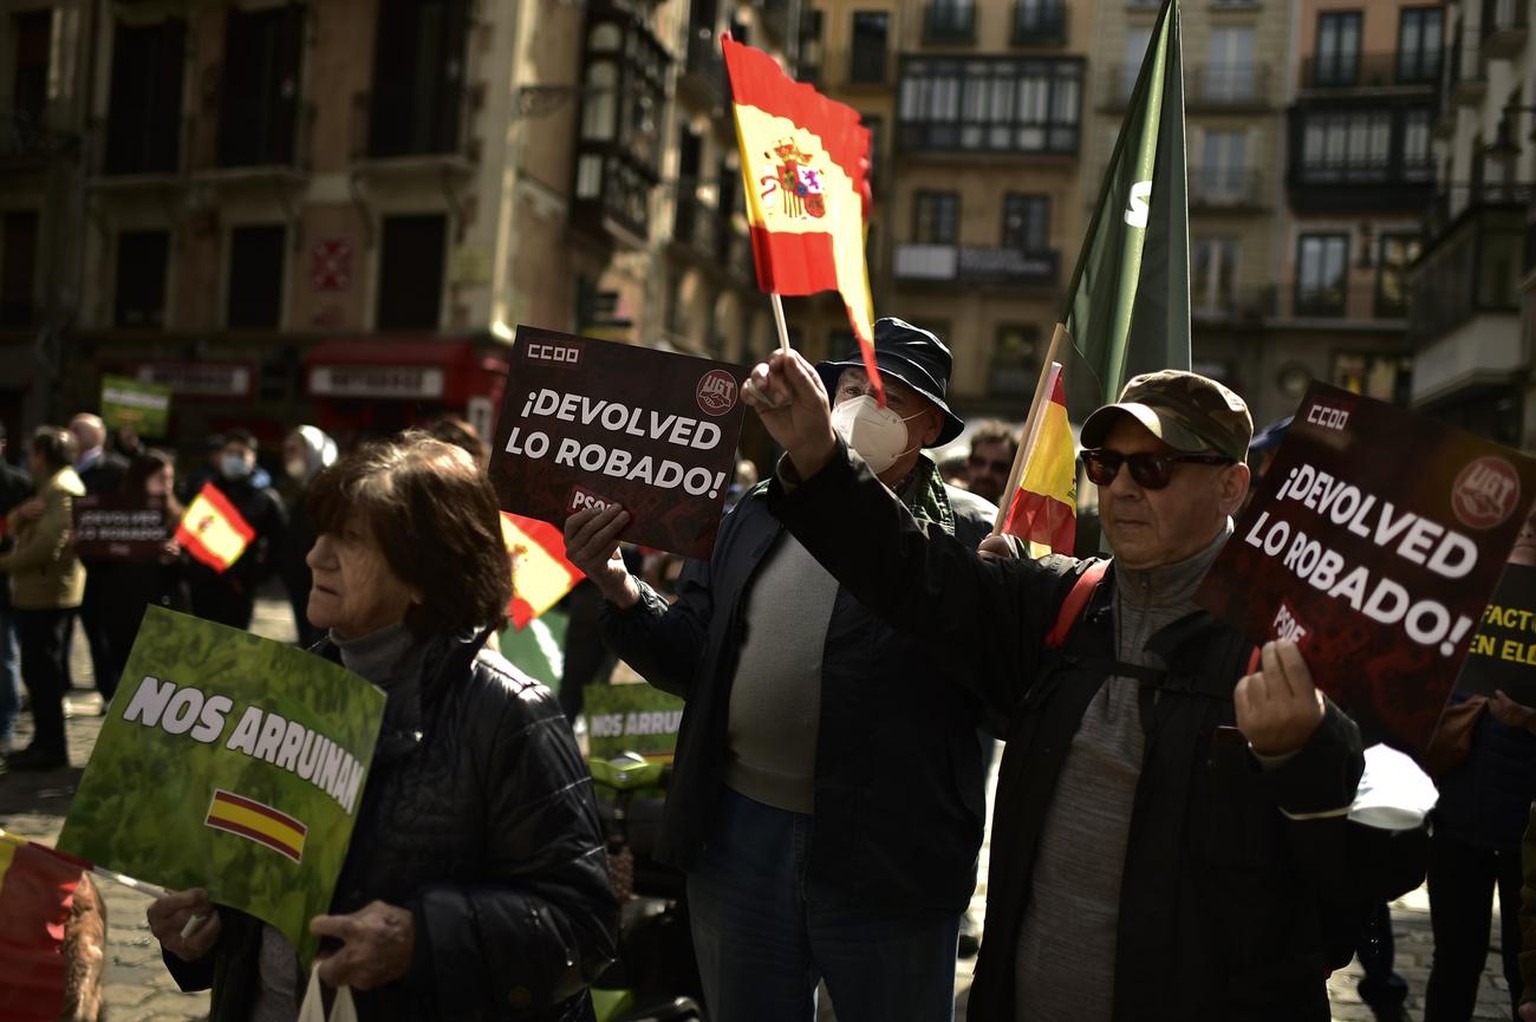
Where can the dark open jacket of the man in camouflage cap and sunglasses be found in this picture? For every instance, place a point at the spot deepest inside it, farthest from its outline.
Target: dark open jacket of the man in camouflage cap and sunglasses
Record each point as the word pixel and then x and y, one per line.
pixel 1223 894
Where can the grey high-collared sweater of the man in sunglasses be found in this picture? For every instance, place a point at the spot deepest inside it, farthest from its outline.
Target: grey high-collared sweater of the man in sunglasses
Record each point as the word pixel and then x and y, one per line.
pixel 1067 946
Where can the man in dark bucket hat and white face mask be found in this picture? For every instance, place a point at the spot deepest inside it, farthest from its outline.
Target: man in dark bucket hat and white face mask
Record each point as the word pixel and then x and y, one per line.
pixel 829 797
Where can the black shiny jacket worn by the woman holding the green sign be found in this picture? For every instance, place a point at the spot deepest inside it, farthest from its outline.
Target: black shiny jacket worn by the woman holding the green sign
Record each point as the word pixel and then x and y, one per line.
pixel 485 828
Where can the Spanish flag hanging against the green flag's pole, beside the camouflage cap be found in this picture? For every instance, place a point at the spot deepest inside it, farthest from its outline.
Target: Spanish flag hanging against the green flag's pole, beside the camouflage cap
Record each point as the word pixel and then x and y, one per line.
pixel 1044 511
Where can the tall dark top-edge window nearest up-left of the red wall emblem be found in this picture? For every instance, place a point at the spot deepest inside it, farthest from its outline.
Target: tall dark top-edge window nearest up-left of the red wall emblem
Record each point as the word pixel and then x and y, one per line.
pixel 260 87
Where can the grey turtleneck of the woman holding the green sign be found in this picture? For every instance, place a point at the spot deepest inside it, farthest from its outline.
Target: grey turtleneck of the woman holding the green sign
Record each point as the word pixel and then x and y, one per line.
pixel 392 660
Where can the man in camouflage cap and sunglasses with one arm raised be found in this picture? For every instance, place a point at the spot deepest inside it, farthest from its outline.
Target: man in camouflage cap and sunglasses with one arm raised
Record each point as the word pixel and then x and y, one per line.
pixel 1171 811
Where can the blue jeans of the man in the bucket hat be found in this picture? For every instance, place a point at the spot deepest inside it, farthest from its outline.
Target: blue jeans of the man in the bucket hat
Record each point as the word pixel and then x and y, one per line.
pixel 763 943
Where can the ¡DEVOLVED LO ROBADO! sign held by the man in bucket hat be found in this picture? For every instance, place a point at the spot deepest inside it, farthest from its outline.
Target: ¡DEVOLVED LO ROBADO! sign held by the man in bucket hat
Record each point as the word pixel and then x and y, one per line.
pixel 589 423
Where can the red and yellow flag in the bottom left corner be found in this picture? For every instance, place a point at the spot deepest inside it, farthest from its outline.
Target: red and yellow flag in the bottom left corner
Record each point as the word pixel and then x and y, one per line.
pixel 38 888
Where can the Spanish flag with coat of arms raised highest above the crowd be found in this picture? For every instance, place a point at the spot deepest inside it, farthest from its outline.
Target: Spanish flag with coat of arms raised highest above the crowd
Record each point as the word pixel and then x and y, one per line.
pixel 806 164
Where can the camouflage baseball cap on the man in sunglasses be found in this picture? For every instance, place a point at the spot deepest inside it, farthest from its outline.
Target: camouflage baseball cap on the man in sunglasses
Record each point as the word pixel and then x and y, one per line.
pixel 1187 411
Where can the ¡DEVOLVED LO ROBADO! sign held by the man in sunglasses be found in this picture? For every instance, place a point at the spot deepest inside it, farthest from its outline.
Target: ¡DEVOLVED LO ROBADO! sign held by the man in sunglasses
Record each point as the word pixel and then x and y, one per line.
pixel 1374 542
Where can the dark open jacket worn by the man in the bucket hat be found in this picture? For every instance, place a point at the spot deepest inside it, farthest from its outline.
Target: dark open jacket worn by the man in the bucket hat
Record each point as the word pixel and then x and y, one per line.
pixel 899 781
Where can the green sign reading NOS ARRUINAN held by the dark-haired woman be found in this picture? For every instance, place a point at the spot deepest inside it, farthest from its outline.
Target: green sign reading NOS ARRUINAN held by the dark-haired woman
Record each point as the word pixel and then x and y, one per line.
pixel 231 763
